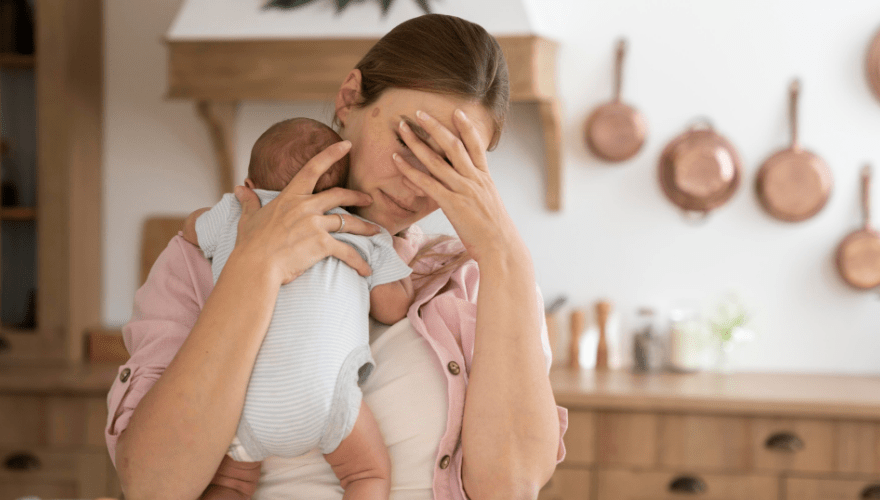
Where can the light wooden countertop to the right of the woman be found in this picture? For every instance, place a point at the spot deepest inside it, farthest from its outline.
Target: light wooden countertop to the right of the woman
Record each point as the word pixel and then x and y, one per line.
pixel 782 394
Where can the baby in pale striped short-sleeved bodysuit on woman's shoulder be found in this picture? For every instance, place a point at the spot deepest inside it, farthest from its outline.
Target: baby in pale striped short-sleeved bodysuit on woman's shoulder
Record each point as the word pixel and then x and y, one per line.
pixel 304 389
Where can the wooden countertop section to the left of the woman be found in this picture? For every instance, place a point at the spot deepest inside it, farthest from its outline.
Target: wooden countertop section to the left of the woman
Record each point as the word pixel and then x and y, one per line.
pixel 56 378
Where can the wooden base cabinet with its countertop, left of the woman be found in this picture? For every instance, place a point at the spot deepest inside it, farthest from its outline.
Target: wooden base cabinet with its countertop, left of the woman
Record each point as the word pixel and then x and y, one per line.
pixel 52 420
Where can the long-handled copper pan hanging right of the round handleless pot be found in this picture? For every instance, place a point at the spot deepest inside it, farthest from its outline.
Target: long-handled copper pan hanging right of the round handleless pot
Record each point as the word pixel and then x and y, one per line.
pixel 793 184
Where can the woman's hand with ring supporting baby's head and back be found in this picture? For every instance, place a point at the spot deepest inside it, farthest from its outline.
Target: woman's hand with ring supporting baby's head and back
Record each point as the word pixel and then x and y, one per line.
pixel 291 233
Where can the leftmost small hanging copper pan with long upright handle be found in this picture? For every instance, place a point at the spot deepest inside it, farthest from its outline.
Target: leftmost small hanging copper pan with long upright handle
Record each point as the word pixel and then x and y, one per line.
pixel 615 131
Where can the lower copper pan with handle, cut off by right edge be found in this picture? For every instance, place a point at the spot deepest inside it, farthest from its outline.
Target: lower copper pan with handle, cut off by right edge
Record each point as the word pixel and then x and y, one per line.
pixel 858 255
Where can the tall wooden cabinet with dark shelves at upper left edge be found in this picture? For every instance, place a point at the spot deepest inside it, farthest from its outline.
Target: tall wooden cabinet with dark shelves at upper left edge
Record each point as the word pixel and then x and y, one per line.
pixel 62 225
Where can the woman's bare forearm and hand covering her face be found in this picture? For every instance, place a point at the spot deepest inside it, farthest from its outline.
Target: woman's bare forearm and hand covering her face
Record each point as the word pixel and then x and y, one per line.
pixel 510 431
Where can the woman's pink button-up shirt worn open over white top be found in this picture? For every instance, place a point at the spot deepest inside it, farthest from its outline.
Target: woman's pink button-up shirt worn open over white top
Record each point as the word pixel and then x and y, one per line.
pixel 167 306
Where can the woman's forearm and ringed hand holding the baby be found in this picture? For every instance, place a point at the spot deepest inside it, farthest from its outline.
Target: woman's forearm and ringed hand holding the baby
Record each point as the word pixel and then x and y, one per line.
pixel 181 429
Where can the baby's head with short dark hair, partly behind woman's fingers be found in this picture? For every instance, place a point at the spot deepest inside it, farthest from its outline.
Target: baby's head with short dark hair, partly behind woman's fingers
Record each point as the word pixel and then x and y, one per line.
pixel 285 147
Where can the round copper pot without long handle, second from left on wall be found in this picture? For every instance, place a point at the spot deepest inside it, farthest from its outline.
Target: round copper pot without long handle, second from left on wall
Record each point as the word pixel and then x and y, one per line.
pixel 699 170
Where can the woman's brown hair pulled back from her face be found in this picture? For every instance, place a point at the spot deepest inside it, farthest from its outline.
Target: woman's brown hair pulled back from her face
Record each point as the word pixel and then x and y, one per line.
pixel 440 54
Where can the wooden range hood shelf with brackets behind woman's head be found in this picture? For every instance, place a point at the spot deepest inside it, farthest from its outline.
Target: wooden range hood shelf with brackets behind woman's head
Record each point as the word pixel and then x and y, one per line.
pixel 218 74
